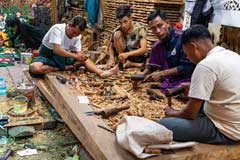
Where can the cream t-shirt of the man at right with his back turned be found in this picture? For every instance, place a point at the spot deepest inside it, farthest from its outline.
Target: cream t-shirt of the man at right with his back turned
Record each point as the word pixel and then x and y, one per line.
pixel 216 79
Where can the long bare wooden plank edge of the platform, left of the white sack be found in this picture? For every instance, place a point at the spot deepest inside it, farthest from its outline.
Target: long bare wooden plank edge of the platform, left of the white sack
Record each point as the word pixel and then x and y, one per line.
pixel 100 143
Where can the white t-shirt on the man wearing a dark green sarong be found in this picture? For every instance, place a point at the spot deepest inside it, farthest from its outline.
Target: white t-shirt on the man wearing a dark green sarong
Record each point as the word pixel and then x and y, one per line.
pixel 57 35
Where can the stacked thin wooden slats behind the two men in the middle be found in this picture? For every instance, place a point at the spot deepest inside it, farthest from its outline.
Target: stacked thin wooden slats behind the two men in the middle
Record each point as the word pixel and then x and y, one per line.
pixel 140 11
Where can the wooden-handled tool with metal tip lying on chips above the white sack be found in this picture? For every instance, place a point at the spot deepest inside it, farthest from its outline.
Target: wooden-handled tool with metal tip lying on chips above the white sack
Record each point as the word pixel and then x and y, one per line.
pixel 107 112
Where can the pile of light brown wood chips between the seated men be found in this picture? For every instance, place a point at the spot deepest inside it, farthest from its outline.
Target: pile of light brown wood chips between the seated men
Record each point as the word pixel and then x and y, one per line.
pixel 102 94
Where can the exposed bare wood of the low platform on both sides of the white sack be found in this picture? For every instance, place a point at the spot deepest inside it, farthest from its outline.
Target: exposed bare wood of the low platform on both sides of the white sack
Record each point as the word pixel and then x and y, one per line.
pixel 101 143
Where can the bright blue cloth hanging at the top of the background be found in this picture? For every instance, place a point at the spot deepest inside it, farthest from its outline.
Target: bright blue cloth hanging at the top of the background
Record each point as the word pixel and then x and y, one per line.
pixel 92 8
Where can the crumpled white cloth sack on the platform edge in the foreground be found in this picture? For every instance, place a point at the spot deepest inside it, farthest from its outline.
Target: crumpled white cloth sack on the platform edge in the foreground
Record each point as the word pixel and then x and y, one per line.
pixel 135 133
